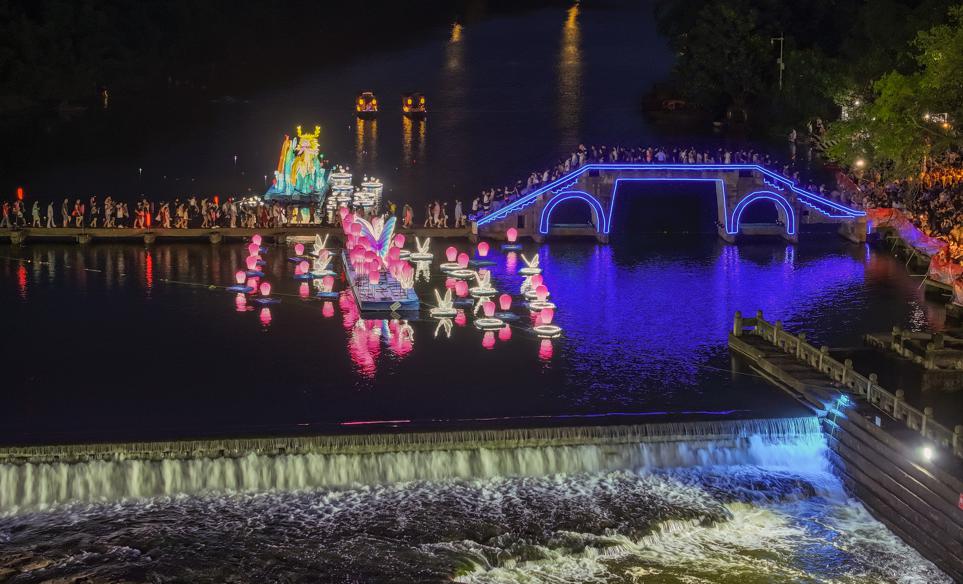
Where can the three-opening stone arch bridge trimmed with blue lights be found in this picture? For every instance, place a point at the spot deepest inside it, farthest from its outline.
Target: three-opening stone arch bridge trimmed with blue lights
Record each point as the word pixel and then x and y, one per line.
pixel 736 185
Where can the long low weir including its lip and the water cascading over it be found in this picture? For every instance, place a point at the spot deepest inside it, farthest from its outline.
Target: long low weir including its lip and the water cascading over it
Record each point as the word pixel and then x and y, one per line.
pixel 39 476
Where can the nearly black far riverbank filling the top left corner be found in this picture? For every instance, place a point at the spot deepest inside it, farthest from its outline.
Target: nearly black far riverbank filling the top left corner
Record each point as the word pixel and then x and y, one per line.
pixel 65 51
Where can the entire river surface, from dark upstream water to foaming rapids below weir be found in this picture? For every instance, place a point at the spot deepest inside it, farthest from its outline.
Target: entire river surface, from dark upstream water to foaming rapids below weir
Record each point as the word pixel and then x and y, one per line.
pixel 123 342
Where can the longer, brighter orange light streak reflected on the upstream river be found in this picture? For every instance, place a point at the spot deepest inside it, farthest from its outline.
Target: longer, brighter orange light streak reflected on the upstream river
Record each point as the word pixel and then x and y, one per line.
pixel 570 81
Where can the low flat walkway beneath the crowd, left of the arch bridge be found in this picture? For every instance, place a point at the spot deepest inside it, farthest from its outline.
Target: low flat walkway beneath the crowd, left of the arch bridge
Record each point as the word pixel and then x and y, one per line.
pixel 213 235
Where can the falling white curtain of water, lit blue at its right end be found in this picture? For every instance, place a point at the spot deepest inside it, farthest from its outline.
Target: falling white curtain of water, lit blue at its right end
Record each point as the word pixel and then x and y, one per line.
pixel 793 442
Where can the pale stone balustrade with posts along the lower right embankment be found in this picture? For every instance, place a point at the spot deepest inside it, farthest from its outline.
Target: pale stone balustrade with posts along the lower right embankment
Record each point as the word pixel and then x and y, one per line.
pixel 866 387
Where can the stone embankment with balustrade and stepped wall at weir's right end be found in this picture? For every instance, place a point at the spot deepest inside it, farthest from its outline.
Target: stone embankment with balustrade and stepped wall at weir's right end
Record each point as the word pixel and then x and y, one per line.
pixel 906 467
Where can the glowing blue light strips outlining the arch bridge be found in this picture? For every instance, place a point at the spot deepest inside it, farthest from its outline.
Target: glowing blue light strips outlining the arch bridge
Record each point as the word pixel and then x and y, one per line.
pixel 732 220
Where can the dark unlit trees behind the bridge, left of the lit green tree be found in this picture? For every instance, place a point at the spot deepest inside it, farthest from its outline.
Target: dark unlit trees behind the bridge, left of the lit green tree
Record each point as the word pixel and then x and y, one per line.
pixel 833 49
